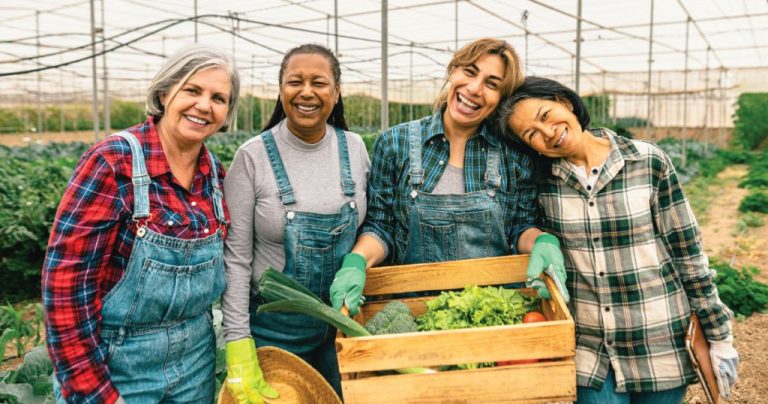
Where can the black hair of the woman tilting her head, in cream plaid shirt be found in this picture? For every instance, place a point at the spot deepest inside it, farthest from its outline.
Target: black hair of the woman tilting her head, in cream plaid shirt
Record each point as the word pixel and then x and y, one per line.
pixel 541 88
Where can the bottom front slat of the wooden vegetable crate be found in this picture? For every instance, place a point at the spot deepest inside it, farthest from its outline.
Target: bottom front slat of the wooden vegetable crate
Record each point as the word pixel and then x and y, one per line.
pixel 540 382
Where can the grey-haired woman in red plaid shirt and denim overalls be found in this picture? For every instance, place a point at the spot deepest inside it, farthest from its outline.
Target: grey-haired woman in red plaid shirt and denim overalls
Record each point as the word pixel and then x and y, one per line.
pixel 135 255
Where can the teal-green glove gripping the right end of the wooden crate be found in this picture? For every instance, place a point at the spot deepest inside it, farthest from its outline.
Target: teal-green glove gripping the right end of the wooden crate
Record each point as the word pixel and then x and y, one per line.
pixel 546 257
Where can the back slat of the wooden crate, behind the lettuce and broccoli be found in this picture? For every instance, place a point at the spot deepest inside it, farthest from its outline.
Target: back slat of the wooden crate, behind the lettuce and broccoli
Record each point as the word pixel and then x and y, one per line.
pixel 445 275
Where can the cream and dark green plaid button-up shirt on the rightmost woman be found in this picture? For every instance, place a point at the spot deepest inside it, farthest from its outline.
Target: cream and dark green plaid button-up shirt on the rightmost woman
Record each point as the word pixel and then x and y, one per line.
pixel 636 269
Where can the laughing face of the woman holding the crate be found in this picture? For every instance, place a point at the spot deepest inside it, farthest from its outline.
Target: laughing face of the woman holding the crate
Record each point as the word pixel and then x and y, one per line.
pixel 474 93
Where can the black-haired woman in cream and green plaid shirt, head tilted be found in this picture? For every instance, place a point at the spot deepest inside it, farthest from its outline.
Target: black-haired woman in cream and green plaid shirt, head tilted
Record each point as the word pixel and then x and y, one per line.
pixel 636 267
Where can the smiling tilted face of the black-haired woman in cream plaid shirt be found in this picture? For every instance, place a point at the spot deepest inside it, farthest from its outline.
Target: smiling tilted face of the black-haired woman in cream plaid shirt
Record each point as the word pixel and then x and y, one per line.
pixel 548 127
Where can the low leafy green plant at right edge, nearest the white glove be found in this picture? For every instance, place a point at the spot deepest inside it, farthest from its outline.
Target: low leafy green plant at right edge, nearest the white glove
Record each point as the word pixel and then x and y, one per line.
pixel 739 290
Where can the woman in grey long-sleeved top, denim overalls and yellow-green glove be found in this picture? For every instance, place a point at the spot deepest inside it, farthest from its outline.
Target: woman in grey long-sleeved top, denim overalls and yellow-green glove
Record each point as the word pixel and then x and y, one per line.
pixel 297 195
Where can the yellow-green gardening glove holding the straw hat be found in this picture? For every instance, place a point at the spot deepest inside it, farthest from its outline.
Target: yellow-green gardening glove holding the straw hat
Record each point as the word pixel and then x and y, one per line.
pixel 245 381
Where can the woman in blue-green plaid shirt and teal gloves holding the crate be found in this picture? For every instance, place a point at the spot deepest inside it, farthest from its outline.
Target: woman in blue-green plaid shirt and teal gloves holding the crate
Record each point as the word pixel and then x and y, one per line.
pixel 444 187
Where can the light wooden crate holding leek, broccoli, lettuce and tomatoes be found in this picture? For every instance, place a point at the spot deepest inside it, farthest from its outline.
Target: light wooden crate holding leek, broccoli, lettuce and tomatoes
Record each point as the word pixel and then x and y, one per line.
pixel 553 378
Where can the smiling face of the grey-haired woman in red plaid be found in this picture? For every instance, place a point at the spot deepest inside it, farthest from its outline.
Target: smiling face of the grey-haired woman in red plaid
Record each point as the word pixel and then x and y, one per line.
pixel 197 109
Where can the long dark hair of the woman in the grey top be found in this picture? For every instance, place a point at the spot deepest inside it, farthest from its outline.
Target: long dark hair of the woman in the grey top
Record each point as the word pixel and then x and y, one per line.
pixel 336 118
